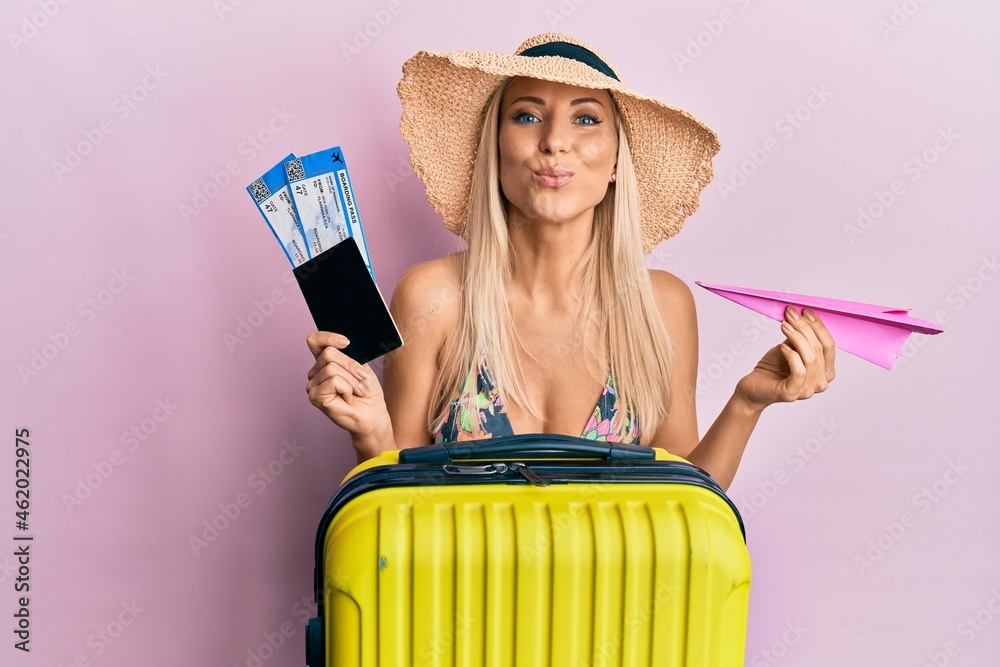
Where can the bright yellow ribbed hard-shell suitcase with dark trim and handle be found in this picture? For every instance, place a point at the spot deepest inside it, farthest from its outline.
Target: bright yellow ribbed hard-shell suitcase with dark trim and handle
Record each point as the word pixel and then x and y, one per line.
pixel 529 550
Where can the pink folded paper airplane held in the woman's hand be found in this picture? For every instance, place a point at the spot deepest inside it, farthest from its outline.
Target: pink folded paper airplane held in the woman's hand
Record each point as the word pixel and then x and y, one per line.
pixel 875 333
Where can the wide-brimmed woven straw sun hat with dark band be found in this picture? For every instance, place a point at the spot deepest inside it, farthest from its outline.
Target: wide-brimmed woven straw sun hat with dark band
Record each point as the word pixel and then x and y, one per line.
pixel 444 95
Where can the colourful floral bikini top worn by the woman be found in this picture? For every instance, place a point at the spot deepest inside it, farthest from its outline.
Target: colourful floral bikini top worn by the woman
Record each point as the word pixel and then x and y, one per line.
pixel 493 420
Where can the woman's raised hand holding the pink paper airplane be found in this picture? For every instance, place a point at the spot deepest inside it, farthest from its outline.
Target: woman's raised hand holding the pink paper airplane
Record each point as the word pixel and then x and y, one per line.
pixel 796 369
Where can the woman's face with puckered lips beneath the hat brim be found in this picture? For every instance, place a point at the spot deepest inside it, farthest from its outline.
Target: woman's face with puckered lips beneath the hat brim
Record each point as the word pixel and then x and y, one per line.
pixel 558 147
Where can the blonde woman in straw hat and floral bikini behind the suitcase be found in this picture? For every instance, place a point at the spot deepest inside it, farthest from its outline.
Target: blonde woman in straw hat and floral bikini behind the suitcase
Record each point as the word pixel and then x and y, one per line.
pixel 559 177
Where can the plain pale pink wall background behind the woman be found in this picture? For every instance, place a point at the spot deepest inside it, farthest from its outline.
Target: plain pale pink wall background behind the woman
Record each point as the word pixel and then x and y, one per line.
pixel 832 556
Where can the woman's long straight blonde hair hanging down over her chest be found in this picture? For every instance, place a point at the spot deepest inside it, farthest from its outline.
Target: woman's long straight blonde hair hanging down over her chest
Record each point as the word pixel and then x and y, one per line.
pixel 616 295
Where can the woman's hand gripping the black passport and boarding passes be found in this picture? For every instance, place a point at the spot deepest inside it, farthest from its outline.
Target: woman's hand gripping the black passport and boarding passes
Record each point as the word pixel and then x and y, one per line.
pixel 347 392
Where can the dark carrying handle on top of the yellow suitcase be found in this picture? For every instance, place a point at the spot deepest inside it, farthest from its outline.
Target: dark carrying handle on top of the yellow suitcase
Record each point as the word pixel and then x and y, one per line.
pixel 526 446
